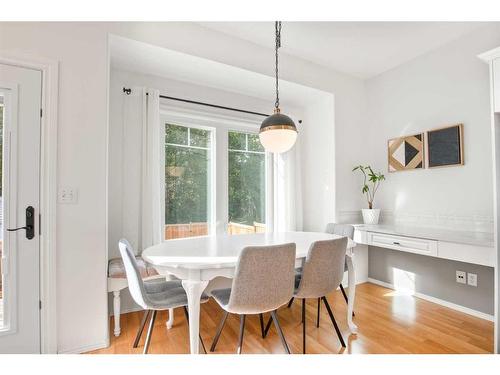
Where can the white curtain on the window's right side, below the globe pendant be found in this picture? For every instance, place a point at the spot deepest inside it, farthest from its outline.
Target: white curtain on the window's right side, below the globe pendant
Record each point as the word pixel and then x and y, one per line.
pixel 287 197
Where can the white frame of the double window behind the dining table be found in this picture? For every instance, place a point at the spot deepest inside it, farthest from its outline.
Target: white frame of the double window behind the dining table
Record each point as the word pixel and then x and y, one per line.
pixel 221 124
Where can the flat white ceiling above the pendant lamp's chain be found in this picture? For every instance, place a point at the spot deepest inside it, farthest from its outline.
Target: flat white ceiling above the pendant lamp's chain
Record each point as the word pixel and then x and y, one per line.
pixel 361 49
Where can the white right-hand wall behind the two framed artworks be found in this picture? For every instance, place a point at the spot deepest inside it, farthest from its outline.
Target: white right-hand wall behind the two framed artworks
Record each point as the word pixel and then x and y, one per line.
pixel 447 86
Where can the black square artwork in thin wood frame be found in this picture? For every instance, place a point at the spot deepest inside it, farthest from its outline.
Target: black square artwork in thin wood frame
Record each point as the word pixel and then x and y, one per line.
pixel 445 146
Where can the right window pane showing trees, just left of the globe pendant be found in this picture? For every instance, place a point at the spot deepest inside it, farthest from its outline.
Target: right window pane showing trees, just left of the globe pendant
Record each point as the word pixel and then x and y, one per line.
pixel 247 190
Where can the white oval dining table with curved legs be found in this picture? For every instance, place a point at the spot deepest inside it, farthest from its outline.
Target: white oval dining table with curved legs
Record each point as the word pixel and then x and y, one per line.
pixel 198 260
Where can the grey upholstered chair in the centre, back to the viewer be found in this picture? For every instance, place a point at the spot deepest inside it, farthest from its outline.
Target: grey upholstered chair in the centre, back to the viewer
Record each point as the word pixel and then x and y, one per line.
pixel 264 281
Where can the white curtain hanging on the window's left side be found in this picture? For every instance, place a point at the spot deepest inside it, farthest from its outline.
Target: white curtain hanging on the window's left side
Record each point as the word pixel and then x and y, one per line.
pixel 142 165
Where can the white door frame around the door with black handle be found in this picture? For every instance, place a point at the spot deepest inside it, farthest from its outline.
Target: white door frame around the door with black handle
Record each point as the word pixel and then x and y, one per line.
pixel 48 191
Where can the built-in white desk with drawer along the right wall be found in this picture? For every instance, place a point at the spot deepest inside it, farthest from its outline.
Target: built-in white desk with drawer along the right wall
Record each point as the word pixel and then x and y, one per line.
pixel 462 246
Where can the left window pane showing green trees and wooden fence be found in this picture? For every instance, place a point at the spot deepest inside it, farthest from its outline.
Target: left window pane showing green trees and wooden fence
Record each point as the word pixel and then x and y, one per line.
pixel 187 185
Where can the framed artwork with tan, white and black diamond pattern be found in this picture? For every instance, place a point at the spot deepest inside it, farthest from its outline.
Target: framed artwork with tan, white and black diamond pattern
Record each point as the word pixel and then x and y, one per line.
pixel 406 153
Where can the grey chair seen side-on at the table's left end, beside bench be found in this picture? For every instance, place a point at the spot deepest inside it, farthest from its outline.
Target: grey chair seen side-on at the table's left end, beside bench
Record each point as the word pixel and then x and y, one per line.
pixel 152 295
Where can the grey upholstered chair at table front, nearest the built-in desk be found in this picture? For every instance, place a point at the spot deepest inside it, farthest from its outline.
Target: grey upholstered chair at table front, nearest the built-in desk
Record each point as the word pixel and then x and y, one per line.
pixel 322 272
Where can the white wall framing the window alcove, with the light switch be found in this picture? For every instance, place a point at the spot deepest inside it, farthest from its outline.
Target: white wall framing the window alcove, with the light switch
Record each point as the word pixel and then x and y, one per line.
pixel 81 49
